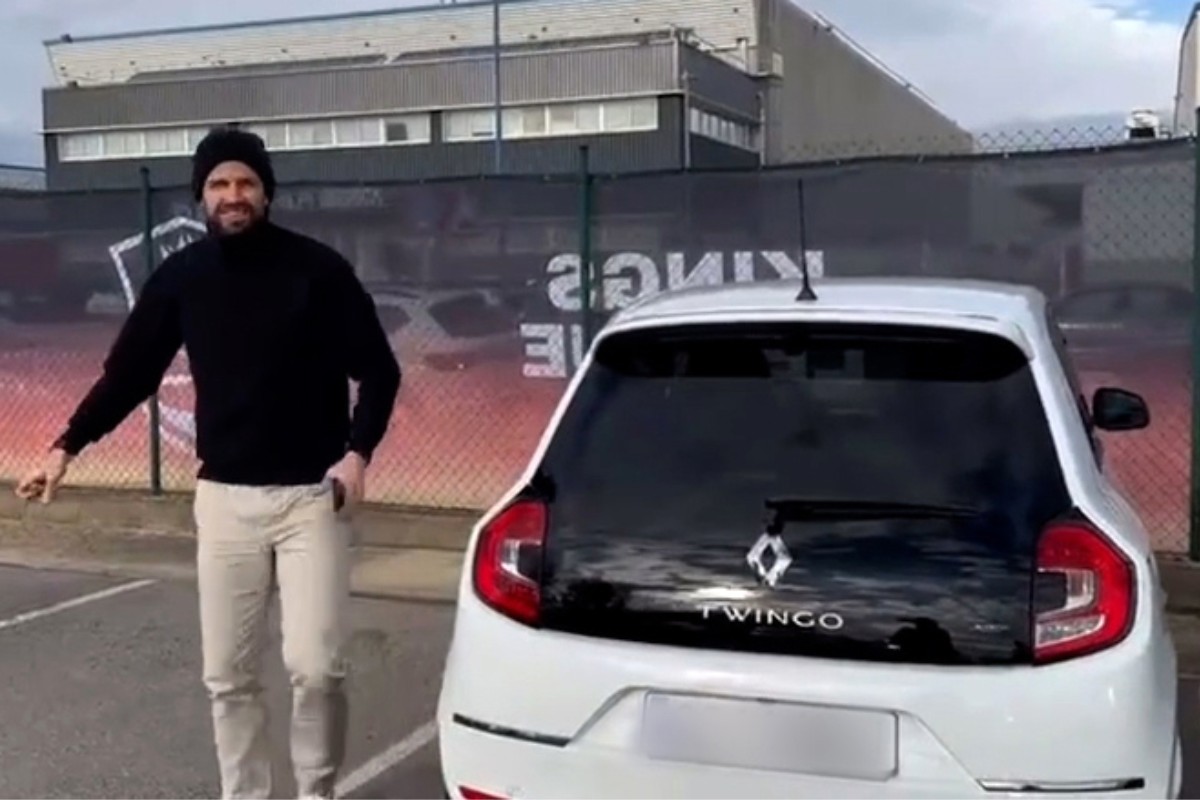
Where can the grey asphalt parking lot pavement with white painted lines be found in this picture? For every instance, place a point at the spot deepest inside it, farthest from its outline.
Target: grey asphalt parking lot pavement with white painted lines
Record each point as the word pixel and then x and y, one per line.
pixel 100 694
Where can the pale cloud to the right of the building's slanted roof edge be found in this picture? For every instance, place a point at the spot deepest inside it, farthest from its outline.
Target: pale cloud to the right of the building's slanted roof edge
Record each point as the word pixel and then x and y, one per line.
pixel 993 62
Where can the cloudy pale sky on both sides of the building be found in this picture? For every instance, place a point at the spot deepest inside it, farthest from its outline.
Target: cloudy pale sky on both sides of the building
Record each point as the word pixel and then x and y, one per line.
pixel 986 63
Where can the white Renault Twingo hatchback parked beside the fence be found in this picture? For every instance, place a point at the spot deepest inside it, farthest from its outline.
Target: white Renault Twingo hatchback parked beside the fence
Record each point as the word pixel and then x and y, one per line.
pixel 855 546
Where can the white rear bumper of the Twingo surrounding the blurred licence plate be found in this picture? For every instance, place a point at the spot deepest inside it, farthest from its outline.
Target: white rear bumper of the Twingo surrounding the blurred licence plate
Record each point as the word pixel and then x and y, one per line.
pixel 557 717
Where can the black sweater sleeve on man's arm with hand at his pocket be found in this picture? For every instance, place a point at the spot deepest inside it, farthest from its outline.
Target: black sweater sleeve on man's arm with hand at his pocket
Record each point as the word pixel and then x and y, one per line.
pixel 370 362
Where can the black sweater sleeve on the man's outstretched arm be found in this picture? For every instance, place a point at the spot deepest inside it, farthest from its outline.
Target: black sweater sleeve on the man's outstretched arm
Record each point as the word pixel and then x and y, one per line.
pixel 135 366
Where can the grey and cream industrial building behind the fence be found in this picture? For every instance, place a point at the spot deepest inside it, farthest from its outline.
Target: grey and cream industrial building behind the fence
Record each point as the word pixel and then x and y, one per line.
pixel 410 94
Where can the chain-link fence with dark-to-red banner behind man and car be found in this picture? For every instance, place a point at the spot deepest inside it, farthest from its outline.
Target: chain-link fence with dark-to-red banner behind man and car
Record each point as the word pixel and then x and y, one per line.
pixel 478 286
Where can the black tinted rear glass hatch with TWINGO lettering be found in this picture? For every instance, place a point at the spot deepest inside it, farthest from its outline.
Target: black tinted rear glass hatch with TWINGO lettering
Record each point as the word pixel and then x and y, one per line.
pixel 926 453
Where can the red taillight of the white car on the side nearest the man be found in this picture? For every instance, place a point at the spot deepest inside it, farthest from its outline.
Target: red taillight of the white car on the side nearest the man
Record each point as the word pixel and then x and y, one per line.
pixel 508 562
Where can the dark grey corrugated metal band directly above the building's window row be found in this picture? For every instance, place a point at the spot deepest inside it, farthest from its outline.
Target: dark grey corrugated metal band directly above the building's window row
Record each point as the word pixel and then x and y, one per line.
pixel 527 77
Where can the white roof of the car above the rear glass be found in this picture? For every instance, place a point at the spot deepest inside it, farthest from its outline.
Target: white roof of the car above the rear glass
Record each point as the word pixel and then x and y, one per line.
pixel 1005 303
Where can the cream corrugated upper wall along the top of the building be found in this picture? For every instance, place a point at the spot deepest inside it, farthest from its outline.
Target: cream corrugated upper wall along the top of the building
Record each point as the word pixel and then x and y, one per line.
pixel 435 28
